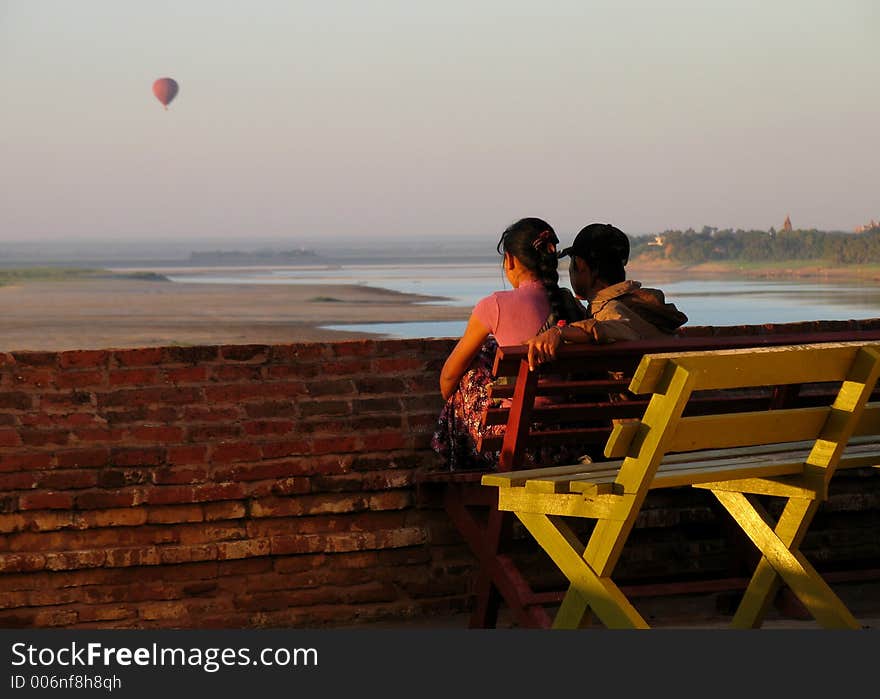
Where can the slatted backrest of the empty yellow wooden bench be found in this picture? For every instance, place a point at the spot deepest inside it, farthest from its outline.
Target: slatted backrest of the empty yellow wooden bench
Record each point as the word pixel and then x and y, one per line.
pixel 673 378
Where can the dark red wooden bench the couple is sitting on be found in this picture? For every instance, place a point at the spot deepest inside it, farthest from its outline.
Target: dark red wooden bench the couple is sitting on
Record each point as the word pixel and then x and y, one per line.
pixel 586 386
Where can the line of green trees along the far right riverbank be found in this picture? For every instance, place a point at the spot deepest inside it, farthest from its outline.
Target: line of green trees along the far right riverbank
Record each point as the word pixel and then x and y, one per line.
pixel 718 245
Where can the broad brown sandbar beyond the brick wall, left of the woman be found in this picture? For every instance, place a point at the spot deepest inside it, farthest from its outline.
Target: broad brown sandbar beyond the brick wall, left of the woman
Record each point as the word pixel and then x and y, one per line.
pixel 106 313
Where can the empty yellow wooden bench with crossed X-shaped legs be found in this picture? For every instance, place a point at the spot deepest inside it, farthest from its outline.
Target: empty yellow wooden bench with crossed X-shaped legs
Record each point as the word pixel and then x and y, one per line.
pixel 790 454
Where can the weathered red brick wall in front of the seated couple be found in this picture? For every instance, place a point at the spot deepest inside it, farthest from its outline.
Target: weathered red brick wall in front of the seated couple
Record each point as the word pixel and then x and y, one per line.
pixel 230 486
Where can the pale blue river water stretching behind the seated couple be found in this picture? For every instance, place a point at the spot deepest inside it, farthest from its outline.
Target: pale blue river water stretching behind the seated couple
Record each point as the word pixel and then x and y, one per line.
pixel 706 302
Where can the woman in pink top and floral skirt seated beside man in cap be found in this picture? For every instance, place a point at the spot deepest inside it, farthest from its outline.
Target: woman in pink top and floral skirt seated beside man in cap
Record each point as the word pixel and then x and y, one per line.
pixel 535 303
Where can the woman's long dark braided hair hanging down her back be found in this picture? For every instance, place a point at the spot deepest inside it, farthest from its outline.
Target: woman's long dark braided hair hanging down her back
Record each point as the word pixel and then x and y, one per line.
pixel 533 242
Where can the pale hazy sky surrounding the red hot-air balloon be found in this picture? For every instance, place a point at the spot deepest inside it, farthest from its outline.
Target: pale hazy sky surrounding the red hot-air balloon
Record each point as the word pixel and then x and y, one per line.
pixel 307 118
